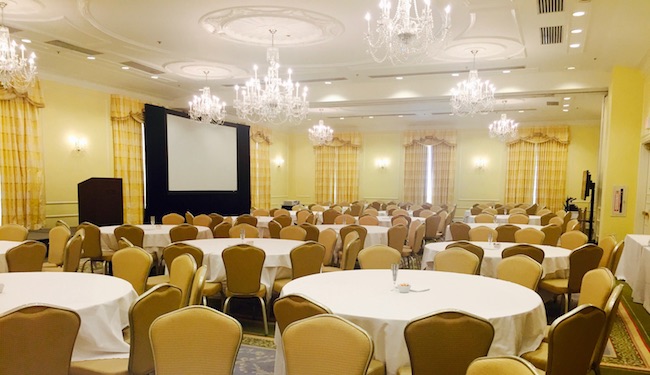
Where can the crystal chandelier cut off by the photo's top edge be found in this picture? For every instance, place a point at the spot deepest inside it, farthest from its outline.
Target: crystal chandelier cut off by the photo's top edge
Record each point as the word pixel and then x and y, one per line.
pixel 407 35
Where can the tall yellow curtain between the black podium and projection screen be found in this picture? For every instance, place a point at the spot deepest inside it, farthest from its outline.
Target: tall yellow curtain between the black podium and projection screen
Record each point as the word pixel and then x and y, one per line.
pixel 126 119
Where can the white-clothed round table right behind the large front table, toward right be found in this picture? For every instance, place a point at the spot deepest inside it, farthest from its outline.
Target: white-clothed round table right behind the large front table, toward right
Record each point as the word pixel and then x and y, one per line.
pixel 555 264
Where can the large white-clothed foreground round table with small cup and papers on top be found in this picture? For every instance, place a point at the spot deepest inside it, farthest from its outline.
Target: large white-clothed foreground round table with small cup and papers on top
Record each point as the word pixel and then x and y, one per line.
pixel 368 299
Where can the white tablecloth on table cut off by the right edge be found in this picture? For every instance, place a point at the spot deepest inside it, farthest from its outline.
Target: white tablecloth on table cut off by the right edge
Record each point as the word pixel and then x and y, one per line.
pixel 634 267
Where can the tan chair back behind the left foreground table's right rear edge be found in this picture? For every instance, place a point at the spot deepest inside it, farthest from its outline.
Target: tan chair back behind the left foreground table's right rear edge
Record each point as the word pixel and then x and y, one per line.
pixel 133 265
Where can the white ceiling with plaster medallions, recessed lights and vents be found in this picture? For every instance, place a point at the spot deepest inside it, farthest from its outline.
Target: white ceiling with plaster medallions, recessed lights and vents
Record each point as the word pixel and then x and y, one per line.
pixel 323 41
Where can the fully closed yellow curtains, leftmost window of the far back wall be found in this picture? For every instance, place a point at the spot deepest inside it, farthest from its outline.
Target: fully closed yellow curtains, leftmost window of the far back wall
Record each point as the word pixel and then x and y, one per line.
pixel 337 169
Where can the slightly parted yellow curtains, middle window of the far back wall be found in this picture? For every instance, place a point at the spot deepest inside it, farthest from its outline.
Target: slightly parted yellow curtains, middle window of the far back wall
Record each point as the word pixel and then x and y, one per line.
pixel 443 146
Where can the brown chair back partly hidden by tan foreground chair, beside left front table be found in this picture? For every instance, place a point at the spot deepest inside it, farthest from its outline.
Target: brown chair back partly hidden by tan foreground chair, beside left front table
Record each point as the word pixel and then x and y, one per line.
pixel 157 301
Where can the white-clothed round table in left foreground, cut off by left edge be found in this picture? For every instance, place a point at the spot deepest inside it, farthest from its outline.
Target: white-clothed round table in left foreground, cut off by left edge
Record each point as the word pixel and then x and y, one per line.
pixel 101 301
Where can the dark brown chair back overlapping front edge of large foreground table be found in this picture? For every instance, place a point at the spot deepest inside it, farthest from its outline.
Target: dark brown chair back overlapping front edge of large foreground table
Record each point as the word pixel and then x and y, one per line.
pixel 446 342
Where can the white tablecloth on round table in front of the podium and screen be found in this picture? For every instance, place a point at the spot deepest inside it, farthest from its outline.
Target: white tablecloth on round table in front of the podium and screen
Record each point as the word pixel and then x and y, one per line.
pixel 156 237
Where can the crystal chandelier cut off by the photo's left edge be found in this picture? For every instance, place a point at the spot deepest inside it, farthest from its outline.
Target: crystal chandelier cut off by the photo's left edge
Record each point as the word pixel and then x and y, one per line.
pixel 16 70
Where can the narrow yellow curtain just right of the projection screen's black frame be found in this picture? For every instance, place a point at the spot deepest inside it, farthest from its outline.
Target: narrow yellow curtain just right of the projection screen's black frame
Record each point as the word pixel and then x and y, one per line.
pixel 260 140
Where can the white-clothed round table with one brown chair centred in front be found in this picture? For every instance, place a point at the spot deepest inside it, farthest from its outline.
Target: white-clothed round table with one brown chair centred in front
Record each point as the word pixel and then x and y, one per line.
pixel 276 265
